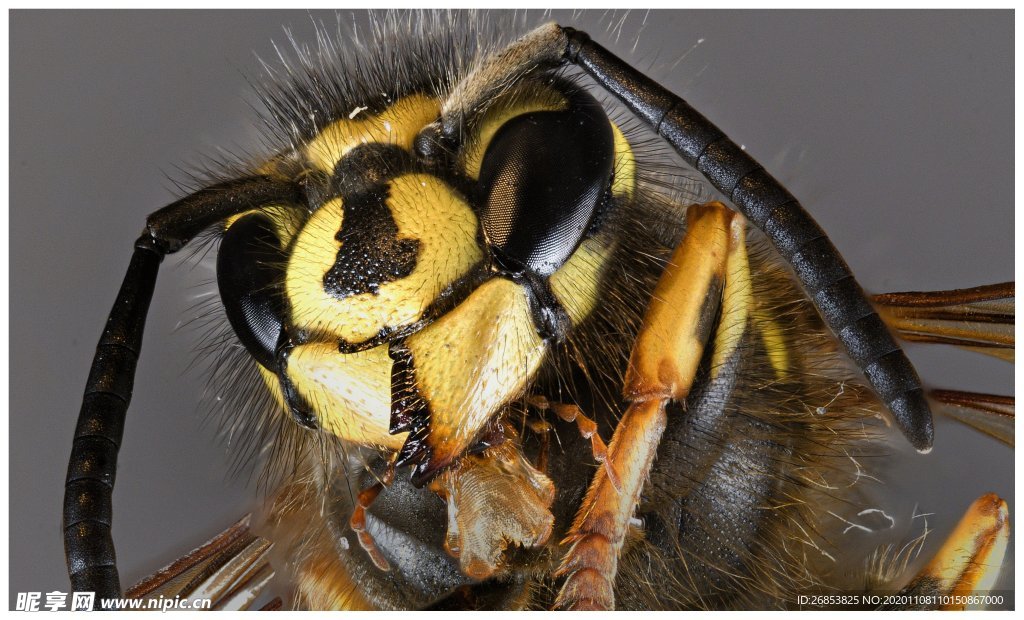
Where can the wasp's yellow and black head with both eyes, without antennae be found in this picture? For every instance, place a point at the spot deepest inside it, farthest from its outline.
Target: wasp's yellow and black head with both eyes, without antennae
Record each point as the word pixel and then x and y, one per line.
pixel 413 298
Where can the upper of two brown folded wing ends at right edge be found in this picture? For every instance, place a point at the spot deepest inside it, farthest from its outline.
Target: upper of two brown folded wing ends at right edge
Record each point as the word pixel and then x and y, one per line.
pixel 979 319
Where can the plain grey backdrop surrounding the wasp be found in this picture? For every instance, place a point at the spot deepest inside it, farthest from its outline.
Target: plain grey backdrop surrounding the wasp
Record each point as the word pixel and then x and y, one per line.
pixel 894 129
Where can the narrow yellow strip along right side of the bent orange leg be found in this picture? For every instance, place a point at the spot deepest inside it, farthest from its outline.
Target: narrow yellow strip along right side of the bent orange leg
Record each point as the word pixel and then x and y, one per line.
pixel 737 298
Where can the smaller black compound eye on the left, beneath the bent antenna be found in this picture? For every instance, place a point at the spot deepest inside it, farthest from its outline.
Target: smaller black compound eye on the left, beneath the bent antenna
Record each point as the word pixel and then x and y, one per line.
pixel 250 276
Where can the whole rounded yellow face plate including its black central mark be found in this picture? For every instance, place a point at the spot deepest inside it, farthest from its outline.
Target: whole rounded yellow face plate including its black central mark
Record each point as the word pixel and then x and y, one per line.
pixel 435 238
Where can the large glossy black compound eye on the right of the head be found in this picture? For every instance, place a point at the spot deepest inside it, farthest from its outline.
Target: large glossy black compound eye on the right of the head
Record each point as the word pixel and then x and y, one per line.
pixel 542 179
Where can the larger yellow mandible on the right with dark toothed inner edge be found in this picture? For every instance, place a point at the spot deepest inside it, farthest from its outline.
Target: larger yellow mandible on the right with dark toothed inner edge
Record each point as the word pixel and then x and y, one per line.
pixel 473 361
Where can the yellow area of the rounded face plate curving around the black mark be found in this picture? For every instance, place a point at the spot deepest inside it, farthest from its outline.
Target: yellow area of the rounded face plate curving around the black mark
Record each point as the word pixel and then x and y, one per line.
pixel 425 210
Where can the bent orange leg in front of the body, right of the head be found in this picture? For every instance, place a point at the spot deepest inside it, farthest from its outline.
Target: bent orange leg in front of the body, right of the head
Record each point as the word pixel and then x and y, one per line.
pixel 668 351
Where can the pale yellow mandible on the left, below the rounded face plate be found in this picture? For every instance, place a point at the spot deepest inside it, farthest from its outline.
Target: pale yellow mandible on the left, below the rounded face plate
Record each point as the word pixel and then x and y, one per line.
pixel 350 393
